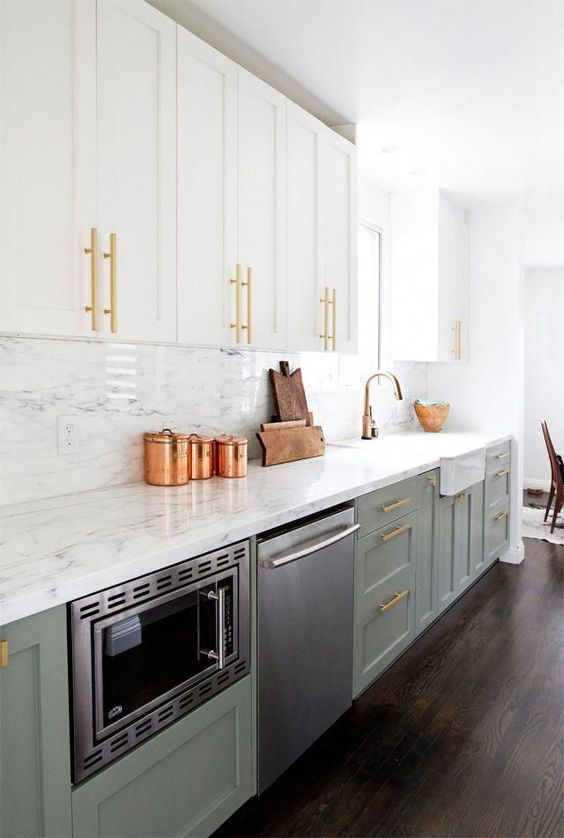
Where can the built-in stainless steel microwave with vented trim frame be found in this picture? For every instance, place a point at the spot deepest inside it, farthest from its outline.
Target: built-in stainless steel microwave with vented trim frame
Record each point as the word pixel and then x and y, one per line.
pixel 151 650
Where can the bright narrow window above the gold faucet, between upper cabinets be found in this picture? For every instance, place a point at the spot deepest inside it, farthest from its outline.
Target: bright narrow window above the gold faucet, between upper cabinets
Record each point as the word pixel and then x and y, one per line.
pixel 369 265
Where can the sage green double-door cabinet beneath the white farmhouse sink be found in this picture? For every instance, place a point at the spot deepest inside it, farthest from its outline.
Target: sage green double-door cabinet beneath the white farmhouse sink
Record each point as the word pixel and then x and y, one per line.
pixel 460 542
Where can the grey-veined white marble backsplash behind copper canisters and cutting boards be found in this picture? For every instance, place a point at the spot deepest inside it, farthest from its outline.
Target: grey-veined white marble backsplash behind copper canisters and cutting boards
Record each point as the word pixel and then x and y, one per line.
pixel 116 391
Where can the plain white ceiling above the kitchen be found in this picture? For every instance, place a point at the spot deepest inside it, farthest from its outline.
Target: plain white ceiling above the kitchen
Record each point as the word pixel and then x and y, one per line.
pixel 468 93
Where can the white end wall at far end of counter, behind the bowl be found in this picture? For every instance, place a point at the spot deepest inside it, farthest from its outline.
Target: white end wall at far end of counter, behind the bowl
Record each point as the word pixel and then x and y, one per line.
pixel 487 393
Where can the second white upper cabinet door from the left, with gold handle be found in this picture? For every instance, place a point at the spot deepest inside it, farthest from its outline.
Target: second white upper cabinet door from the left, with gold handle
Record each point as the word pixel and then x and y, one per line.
pixel 137 167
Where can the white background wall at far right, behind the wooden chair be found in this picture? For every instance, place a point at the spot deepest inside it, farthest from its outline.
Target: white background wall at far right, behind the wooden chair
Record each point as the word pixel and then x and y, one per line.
pixel 544 370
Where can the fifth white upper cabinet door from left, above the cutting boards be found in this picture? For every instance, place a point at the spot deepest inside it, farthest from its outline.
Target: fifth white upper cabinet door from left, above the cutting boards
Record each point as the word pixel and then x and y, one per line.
pixel 305 312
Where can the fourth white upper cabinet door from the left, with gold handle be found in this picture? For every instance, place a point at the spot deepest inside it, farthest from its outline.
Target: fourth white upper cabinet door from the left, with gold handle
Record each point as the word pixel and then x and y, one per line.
pixel 261 211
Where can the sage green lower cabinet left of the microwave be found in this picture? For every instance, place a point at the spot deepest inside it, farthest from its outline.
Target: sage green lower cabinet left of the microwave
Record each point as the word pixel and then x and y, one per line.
pixel 35 780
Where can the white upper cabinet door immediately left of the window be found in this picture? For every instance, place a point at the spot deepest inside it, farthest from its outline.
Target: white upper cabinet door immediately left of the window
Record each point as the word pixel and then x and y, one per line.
pixel 340 240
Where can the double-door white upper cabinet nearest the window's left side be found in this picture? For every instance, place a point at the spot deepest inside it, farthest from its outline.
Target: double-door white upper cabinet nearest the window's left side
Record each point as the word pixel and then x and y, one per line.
pixel 321 229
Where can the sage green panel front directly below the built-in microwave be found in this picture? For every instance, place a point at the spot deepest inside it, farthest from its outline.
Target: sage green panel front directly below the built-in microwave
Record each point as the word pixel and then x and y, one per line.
pixel 185 781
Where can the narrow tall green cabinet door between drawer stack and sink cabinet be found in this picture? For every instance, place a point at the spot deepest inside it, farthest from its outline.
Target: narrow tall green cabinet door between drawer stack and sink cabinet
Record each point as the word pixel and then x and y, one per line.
pixel 426 582
